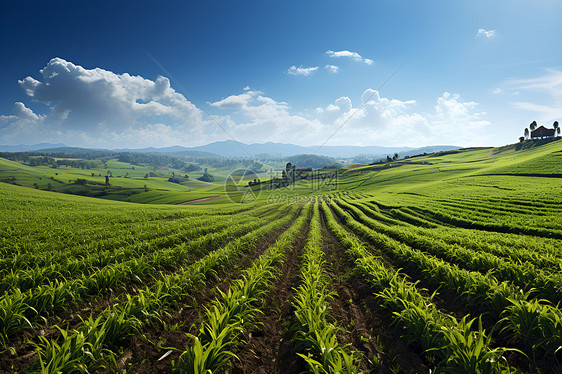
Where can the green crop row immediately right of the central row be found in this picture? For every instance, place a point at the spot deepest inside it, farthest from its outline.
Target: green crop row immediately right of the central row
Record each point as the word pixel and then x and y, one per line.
pixel 448 344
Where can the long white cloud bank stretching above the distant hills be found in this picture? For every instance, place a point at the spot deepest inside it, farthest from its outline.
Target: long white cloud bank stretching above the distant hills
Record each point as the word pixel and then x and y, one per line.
pixel 99 108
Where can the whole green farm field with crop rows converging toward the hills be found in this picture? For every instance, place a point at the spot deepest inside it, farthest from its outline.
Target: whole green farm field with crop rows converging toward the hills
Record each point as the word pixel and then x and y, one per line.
pixel 443 263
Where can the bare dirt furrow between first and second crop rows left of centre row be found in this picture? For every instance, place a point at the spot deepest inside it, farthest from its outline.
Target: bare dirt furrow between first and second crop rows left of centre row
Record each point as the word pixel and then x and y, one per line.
pixel 142 355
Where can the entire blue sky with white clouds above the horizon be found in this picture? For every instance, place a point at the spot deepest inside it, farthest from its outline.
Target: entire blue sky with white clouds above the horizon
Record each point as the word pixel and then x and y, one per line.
pixel 160 73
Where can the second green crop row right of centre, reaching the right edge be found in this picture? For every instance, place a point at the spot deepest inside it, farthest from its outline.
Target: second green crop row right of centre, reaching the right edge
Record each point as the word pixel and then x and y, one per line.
pixel 536 324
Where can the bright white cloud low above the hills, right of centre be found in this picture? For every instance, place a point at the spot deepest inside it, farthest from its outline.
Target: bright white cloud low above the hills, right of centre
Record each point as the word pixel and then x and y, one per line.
pixel 381 120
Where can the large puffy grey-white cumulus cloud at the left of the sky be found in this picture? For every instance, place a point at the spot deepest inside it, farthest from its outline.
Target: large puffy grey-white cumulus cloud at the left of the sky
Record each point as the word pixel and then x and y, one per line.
pixel 96 103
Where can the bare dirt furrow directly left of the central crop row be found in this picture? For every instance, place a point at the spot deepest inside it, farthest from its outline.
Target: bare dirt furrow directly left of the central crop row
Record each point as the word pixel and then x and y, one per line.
pixel 269 348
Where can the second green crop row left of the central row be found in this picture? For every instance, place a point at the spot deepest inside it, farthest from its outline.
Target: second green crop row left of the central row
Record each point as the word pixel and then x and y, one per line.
pixel 90 345
